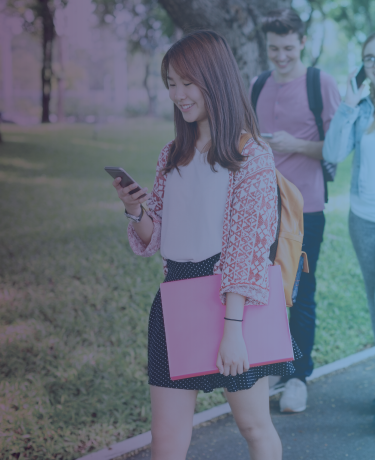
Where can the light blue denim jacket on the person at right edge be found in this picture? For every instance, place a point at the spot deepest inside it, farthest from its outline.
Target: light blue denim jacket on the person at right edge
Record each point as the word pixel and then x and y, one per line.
pixel 345 133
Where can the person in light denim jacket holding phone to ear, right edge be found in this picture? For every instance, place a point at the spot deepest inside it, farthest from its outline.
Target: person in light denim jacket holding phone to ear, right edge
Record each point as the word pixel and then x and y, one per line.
pixel 353 127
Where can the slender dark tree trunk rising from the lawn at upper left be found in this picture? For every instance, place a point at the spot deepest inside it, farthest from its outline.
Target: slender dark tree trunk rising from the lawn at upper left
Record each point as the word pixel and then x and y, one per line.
pixel 48 36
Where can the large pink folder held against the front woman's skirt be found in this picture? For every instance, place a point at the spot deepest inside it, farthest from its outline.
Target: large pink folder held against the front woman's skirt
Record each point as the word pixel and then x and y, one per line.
pixel 194 323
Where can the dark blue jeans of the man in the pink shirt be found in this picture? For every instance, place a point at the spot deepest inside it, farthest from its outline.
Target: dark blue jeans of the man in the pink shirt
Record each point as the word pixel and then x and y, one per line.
pixel 302 314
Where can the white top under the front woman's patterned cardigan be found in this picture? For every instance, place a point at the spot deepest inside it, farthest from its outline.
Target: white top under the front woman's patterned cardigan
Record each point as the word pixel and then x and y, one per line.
pixel 193 211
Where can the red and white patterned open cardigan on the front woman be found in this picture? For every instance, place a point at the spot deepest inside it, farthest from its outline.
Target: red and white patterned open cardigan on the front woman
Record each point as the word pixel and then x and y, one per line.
pixel 250 223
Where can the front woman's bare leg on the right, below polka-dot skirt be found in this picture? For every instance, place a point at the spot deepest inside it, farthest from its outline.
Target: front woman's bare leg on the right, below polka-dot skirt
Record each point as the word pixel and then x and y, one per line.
pixel 251 412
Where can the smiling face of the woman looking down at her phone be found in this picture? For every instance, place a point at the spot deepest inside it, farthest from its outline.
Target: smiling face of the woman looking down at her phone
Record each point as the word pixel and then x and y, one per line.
pixel 187 97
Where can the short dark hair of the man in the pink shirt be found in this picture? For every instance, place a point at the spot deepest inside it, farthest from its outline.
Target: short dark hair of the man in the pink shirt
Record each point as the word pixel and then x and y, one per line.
pixel 283 22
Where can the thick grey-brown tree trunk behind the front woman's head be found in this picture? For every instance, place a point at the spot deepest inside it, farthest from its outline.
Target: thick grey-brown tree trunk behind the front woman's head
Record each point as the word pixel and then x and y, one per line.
pixel 239 21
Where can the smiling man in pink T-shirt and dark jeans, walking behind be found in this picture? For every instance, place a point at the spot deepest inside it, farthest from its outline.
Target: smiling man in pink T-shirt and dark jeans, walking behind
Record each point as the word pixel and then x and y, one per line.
pixel 283 111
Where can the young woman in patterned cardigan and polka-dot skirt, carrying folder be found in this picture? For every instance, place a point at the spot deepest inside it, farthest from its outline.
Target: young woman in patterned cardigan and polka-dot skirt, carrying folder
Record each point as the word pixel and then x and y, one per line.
pixel 212 210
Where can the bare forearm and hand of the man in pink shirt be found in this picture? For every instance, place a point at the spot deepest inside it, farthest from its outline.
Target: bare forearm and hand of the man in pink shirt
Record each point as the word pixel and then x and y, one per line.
pixel 283 142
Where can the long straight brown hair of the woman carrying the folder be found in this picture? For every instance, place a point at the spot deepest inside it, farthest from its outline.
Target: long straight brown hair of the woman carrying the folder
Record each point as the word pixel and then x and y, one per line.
pixel 205 59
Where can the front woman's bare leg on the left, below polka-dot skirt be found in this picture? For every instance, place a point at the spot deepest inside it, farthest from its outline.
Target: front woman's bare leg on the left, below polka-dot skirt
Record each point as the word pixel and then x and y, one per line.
pixel 172 422
